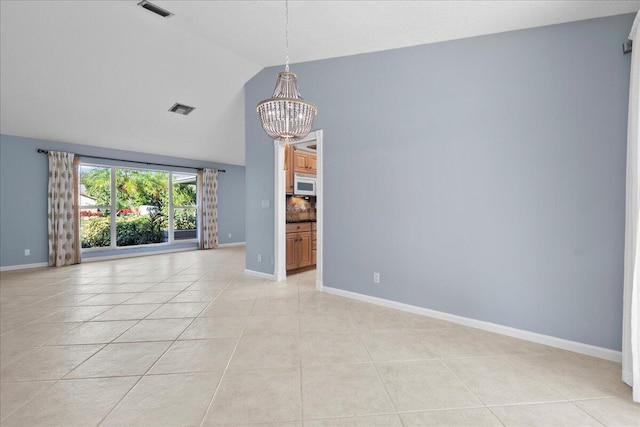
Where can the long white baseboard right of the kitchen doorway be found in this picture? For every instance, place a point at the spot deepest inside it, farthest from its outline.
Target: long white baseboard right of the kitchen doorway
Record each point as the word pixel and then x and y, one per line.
pixel 587 349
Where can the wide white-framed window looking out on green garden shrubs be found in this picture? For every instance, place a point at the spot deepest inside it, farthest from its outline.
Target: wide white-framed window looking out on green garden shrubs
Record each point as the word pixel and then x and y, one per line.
pixel 123 207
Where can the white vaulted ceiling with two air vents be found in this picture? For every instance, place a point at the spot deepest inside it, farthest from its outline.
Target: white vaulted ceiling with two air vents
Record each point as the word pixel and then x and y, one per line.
pixel 104 73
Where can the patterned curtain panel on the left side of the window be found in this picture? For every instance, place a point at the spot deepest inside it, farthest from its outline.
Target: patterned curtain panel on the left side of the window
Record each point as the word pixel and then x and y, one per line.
pixel 64 236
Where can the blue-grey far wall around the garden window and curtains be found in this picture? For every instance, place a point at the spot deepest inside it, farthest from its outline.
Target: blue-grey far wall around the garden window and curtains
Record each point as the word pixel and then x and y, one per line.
pixel 23 196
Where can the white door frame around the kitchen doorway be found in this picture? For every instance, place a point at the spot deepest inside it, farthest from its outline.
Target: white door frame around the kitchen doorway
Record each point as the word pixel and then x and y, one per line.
pixel 280 217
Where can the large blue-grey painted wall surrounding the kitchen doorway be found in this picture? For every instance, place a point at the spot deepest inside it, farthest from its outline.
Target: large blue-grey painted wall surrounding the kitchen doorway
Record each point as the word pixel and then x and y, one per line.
pixel 482 177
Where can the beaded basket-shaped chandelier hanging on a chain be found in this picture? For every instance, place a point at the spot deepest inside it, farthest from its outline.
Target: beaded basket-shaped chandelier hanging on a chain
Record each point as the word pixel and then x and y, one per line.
pixel 286 116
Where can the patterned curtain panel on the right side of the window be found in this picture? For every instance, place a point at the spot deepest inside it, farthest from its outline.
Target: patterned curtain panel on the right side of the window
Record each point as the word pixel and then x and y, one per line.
pixel 208 202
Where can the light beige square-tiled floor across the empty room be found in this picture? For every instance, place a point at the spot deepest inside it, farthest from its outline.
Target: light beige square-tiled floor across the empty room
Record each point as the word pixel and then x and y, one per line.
pixel 189 339
